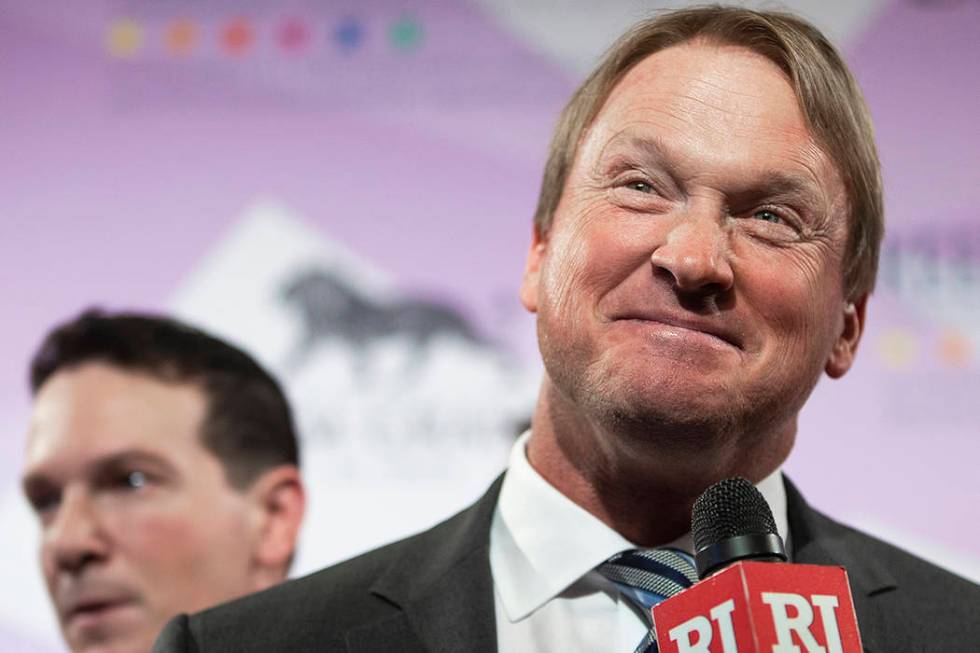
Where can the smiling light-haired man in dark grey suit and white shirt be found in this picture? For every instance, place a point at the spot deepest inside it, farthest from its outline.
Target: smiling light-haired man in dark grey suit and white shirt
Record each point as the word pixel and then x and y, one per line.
pixel 705 243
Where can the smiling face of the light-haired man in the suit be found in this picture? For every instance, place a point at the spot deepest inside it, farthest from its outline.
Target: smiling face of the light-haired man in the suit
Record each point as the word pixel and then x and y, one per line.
pixel 692 276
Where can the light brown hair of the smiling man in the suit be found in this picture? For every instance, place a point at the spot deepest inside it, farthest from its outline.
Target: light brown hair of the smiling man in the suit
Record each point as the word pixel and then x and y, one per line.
pixel 829 98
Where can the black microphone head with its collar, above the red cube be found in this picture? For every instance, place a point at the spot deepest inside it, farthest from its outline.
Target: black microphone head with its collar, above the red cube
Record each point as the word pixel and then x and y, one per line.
pixel 731 521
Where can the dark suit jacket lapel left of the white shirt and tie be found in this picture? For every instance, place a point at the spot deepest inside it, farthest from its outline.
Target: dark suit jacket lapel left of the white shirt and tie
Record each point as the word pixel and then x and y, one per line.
pixel 443 585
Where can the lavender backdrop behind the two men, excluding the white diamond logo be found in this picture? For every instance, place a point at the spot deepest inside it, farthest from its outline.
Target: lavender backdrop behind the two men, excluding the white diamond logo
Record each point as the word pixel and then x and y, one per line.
pixel 413 133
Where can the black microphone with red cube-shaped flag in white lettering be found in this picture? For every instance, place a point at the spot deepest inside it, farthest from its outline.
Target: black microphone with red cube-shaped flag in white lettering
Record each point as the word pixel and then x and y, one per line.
pixel 744 604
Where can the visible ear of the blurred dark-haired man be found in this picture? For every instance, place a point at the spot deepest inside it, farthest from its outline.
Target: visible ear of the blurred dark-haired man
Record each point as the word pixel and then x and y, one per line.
pixel 279 502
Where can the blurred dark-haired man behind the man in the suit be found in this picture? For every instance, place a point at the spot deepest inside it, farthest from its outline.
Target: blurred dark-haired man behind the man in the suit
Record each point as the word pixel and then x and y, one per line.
pixel 162 464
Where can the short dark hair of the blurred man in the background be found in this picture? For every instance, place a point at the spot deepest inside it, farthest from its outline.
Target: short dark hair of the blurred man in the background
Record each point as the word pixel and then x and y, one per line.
pixel 248 425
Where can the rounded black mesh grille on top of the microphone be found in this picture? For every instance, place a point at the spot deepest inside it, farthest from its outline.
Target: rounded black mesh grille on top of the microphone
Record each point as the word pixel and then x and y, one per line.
pixel 729 508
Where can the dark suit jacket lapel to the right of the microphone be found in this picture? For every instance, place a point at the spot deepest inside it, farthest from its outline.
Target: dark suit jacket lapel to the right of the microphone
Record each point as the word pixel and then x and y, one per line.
pixel 818 540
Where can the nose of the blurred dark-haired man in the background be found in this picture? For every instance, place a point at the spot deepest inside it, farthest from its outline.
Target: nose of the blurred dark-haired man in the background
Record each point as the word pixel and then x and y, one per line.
pixel 75 537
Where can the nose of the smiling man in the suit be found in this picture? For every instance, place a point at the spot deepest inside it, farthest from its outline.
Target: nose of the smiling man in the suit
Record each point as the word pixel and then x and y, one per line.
pixel 695 255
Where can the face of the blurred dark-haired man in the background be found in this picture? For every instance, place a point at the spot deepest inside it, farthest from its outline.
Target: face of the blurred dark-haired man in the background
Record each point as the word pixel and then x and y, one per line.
pixel 138 522
